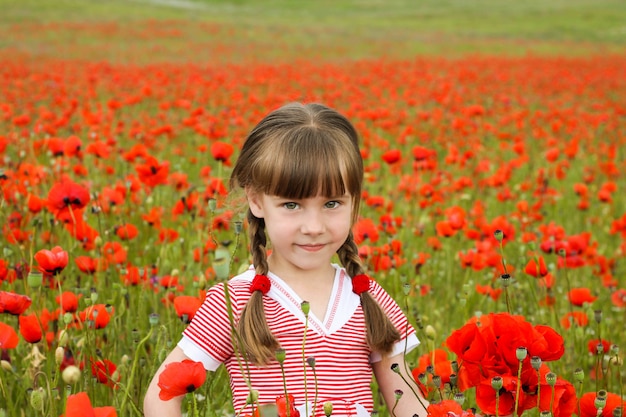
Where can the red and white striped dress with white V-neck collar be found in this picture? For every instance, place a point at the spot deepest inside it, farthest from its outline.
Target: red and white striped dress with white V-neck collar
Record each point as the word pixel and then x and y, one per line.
pixel 338 344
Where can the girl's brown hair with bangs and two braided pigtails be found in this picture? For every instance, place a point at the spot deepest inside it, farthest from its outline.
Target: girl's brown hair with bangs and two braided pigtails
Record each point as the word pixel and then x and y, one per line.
pixel 300 151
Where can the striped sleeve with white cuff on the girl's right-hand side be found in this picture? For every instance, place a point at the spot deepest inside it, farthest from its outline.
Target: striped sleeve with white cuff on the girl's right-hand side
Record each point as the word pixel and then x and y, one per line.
pixel 408 339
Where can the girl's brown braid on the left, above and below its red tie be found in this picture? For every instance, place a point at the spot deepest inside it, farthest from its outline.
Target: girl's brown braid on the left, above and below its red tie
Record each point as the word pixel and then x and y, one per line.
pixel 258 341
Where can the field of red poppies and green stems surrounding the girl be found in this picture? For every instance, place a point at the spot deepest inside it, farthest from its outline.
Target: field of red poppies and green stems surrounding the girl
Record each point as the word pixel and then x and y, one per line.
pixel 494 212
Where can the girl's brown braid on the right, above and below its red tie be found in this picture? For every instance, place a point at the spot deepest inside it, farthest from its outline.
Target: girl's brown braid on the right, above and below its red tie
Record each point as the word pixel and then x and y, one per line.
pixel 381 333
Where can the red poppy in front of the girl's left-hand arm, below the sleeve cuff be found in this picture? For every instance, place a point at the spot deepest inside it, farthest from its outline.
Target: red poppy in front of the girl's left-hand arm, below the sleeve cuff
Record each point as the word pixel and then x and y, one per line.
pixel 180 378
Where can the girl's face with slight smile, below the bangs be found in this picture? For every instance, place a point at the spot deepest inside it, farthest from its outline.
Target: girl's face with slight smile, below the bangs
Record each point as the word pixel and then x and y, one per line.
pixel 304 233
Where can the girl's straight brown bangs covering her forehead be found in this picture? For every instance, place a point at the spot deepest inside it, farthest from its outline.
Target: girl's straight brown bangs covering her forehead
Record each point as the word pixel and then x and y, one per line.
pixel 303 164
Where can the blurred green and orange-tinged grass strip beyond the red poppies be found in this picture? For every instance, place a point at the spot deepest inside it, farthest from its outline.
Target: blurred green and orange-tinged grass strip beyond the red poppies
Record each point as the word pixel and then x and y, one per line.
pixel 284 29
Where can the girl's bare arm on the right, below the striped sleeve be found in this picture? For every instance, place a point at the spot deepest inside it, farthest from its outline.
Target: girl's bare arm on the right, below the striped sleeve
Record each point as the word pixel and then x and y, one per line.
pixel 389 381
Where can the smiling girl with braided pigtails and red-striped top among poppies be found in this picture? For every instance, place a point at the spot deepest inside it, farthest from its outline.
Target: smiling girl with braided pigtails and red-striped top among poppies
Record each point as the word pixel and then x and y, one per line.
pixel 302 172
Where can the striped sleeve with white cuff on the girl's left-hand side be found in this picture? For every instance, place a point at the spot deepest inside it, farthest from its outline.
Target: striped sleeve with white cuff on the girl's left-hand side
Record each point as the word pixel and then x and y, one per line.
pixel 207 339
